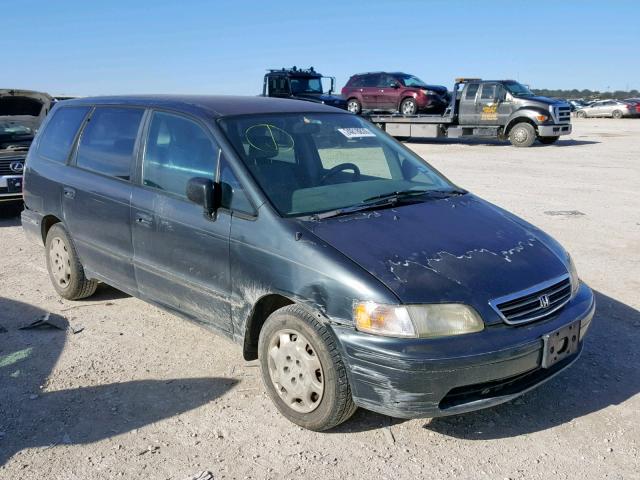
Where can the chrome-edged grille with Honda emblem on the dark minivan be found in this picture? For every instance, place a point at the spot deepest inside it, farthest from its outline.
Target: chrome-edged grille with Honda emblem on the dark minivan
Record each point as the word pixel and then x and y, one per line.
pixel 534 303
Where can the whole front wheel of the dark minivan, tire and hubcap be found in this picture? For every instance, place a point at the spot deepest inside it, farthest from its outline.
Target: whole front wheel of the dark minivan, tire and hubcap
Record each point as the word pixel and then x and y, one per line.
pixel 303 371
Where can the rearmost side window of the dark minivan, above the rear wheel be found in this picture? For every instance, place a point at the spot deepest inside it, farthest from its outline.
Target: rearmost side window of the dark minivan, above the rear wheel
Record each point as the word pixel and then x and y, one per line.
pixel 57 138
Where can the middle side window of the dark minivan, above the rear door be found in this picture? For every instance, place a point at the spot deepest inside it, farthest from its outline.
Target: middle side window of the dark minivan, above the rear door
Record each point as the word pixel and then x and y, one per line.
pixel 108 141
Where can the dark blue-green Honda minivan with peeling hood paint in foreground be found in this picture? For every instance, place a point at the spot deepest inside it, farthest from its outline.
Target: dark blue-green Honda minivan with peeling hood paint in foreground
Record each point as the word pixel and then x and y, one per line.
pixel 356 273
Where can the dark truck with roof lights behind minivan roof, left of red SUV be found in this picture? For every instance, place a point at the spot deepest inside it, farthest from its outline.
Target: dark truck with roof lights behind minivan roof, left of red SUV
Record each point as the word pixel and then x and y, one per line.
pixel 301 84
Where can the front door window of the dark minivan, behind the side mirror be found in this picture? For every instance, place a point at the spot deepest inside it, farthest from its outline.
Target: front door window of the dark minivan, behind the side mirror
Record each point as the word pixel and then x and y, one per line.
pixel 177 150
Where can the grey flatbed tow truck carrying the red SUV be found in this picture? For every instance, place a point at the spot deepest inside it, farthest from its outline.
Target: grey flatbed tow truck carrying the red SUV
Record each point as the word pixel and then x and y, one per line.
pixel 501 109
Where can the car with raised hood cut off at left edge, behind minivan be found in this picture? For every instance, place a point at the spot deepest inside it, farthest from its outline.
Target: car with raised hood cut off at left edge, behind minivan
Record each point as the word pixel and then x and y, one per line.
pixel 21 113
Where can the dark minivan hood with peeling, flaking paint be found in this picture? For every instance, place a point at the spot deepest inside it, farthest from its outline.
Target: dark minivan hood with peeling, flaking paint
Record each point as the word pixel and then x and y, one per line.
pixel 458 249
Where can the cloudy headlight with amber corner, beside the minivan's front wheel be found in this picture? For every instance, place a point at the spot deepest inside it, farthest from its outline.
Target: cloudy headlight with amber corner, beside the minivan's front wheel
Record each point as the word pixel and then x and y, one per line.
pixel 416 321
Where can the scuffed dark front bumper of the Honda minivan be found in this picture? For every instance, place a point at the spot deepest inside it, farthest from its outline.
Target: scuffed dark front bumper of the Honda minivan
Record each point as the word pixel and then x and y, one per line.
pixel 412 378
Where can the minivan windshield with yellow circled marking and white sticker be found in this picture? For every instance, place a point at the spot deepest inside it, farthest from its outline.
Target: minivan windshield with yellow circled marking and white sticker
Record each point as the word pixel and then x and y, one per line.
pixel 309 163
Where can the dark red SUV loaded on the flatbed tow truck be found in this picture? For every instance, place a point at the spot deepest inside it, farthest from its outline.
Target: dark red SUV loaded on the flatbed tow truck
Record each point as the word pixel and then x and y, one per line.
pixel 395 92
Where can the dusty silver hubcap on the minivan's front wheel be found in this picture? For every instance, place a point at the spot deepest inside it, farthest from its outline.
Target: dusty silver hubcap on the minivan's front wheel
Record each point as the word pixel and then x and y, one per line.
pixel 295 371
